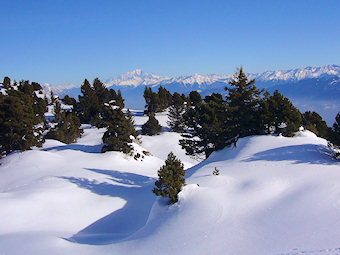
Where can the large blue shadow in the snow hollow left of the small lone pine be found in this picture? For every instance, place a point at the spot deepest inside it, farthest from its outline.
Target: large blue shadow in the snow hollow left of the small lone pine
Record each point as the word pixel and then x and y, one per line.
pixel 135 189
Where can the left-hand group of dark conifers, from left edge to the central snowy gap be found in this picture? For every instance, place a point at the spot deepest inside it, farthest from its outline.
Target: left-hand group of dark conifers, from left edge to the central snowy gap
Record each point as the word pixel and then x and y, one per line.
pixel 23 124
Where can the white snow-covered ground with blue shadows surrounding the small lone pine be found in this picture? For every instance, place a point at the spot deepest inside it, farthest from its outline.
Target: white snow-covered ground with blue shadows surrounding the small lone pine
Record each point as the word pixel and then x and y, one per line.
pixel 274 195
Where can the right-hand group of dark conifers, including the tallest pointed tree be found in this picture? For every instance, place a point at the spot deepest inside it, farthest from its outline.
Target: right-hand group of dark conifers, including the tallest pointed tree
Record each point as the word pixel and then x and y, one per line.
pixel 215 122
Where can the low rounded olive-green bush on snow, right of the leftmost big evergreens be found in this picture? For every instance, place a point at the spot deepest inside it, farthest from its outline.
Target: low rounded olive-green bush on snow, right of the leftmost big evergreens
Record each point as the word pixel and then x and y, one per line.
pixel 68 128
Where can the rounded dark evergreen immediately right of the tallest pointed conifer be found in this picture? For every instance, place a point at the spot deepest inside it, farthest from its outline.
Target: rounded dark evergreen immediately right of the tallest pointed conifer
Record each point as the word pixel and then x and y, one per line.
pixel 279 115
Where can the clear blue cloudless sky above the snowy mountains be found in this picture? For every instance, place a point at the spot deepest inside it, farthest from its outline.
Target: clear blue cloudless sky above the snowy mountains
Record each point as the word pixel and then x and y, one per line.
pixel 64 41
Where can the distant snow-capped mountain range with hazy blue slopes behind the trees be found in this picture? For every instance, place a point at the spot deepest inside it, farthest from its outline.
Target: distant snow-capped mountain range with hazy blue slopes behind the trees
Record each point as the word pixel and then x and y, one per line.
pixel 310 88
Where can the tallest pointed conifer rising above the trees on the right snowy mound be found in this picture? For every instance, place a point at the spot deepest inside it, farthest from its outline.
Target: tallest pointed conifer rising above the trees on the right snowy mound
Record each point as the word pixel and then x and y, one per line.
pixel 243 108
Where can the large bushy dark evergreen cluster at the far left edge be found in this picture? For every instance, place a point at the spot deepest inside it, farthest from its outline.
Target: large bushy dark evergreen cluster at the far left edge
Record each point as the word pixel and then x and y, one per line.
pixel 21 117
